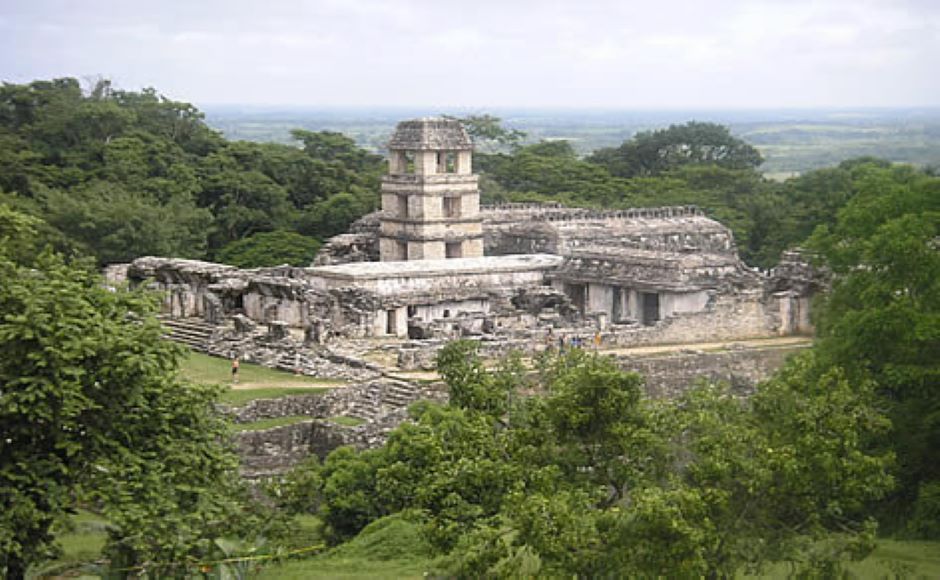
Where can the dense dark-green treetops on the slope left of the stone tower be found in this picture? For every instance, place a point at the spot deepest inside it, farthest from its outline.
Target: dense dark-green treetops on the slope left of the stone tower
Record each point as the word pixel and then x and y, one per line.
pixel 120 174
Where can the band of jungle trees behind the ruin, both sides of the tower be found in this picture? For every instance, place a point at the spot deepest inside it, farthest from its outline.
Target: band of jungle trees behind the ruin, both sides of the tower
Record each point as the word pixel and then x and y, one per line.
pixel 118 174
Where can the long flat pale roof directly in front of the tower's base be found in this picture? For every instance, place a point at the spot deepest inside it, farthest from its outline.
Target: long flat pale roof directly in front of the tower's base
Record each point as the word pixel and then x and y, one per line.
pixel 432 268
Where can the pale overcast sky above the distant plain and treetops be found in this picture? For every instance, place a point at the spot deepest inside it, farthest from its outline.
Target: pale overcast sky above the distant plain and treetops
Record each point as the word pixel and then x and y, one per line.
pixel 489 53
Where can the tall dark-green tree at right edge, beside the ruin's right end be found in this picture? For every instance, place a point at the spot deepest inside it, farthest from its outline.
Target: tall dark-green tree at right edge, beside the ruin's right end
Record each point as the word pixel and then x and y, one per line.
pixel 881 318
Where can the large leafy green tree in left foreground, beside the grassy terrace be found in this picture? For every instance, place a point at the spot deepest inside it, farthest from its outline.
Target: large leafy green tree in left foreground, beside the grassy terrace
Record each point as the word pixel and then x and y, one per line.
pixel 93 409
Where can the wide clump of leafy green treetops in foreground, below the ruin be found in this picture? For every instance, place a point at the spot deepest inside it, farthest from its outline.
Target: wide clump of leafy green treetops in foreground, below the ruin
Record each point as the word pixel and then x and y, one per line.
pixel 591 478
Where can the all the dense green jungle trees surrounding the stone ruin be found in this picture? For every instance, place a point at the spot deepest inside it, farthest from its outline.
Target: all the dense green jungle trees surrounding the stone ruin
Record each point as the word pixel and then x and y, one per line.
pixel 588 478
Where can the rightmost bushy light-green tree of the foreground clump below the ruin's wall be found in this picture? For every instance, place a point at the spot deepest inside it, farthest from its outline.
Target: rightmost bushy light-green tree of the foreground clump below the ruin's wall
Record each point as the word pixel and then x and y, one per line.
pixel 782 477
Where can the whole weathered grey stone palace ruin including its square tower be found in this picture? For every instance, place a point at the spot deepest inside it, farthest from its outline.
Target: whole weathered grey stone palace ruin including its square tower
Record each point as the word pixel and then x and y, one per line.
pixel 433 265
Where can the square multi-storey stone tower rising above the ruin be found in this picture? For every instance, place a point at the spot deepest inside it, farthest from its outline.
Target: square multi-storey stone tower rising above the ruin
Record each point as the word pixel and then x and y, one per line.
pixel 430 198
